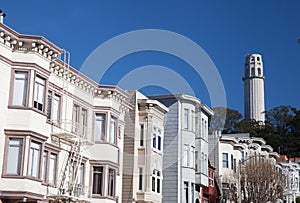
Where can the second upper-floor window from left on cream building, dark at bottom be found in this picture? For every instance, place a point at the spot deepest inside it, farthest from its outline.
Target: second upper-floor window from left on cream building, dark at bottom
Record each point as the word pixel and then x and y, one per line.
pixel 39 93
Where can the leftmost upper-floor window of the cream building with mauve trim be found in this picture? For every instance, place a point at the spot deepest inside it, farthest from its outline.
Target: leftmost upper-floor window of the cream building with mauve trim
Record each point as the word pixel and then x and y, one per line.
pixel 20 88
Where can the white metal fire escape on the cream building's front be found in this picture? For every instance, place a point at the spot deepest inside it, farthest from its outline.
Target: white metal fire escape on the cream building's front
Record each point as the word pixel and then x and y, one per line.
pixel 73 138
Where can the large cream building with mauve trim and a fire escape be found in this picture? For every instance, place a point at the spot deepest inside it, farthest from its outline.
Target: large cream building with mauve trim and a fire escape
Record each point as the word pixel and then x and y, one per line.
pixel 61 134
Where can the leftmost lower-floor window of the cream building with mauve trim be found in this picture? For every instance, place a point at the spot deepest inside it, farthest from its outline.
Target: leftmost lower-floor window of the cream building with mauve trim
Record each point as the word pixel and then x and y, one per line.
pixel 14 156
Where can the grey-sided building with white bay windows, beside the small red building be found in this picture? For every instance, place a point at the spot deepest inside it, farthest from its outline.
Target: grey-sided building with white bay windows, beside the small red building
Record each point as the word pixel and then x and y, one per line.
pixel 185 148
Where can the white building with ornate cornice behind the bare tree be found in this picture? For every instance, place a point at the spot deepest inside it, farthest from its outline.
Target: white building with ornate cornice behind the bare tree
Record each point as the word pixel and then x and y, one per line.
pixel 227 150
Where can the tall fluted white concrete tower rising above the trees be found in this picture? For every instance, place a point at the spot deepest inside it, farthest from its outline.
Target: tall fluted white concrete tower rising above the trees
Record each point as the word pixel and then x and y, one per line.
pixel 254 98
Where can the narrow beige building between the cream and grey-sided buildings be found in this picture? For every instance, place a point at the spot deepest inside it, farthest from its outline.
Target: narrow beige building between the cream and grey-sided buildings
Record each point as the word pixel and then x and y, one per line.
pixel 143 150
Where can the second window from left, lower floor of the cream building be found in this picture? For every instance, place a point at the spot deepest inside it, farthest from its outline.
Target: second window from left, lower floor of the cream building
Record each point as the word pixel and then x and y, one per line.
pixel 34 162
